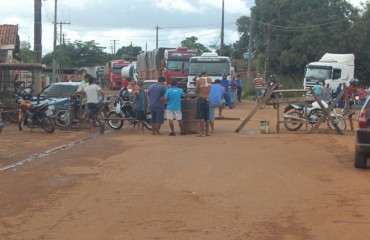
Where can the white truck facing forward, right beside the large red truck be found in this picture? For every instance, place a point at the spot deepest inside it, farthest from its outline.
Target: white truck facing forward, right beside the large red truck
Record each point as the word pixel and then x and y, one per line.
pixel 215 66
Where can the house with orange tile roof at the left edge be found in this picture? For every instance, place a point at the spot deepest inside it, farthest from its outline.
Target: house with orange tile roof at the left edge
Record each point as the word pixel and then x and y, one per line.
pixel 9 43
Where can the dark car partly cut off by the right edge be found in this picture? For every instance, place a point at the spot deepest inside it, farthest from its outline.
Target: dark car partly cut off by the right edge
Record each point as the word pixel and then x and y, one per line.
pixel 362 151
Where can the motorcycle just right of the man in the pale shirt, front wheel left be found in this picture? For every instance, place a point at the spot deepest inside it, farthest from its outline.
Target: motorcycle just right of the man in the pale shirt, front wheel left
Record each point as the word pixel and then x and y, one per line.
pixel 126 107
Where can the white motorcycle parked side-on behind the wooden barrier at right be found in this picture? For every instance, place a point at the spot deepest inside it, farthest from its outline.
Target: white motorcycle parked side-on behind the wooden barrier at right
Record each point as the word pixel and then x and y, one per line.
pixel 294 116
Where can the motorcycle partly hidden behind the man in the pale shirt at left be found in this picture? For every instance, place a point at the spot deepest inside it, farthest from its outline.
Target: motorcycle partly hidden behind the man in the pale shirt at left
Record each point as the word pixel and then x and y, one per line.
pixel 65 117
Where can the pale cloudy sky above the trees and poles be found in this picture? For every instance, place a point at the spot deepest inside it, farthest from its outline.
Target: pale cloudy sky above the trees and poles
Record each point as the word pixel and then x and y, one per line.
pixel 124 22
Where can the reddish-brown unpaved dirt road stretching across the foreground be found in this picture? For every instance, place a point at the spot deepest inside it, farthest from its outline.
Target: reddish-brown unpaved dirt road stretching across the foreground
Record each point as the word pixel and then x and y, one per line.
pixel 125 185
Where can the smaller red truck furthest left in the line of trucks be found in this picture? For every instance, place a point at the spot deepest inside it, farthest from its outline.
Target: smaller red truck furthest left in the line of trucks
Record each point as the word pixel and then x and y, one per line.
pixel 112 73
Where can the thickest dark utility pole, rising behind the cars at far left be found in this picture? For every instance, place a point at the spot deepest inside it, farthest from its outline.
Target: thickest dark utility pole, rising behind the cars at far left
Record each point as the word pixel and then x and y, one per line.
pixel 37 45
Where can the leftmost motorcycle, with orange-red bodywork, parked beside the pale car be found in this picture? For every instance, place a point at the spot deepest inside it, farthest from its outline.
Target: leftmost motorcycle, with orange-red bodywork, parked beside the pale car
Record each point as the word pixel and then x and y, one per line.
pixel 34 115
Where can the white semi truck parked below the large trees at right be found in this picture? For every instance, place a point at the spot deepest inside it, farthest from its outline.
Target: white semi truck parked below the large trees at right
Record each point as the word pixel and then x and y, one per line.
pixel 331 69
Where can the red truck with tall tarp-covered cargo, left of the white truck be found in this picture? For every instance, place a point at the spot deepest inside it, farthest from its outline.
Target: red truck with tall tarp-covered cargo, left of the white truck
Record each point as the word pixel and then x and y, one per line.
pixel 171 63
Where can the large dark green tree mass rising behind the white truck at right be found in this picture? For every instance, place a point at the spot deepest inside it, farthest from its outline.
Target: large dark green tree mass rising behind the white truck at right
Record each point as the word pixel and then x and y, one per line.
pixel 290 33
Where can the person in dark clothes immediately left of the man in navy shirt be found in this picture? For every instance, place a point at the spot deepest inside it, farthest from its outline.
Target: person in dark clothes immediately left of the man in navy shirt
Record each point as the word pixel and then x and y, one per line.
pixel 141 105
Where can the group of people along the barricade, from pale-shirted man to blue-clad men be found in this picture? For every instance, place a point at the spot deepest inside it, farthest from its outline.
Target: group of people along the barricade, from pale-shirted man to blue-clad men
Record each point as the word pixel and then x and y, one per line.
pixel 165 103
